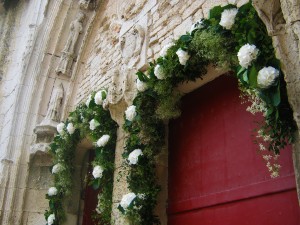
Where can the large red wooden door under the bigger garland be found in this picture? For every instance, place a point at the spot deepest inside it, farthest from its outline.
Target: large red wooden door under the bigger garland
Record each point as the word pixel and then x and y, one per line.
pixel 216 175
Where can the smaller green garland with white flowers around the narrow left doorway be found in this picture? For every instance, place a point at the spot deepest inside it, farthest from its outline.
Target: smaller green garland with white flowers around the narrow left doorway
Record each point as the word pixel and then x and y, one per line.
pixel 92 121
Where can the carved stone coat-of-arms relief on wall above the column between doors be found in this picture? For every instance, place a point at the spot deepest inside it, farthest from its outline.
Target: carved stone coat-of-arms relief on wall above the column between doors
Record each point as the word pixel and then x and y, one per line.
pixel 122 79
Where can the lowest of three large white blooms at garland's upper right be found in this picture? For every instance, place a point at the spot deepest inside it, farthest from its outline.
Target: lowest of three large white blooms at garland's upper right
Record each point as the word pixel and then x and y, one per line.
pixel 267 76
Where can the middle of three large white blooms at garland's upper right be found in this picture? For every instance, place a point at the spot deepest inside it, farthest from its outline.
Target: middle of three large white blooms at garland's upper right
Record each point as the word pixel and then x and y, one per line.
pixel 247 54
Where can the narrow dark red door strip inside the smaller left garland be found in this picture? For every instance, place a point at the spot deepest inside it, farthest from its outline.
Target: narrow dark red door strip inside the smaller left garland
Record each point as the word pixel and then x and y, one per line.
pixel 90 196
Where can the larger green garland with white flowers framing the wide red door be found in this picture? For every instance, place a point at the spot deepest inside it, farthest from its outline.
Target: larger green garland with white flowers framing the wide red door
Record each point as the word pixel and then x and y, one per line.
pixel 231 38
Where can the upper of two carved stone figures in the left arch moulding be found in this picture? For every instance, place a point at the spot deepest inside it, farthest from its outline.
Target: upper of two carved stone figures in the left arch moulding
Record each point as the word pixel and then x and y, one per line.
pixel 67 55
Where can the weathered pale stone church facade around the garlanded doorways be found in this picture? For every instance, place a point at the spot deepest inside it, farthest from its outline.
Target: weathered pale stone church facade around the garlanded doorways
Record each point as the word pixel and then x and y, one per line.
pixel 54 53
